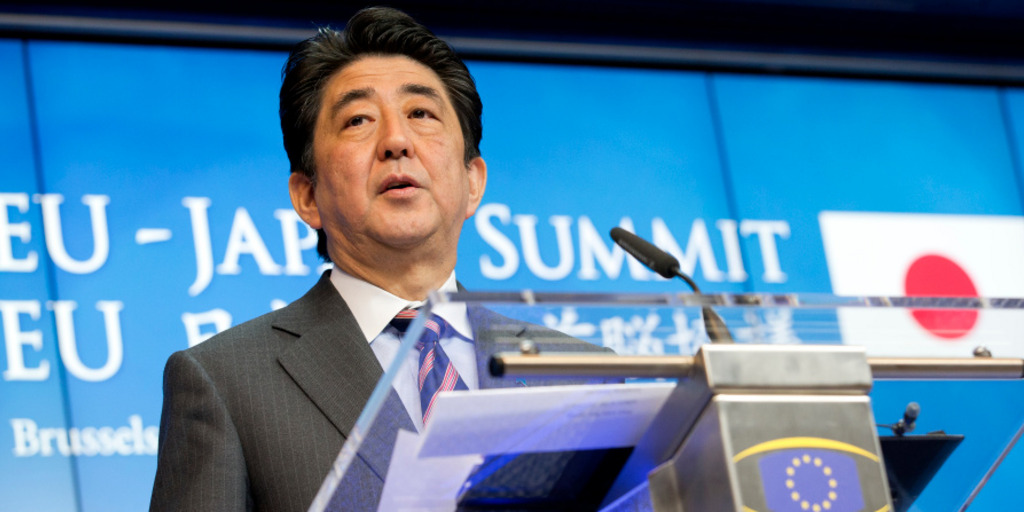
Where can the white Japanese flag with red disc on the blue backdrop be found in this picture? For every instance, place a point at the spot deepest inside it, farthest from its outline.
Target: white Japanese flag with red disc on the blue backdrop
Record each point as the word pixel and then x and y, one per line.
pixel 891 254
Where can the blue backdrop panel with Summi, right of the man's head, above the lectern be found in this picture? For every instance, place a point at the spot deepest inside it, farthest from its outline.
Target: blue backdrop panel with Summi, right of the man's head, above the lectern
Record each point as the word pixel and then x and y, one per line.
pixel 574 152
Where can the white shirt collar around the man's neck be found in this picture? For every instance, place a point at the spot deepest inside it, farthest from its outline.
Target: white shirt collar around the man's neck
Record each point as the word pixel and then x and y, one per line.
pixel 374 308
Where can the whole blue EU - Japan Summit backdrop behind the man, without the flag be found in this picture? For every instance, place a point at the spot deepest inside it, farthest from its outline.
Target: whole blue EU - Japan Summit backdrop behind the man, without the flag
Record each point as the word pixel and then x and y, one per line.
pixel 144 207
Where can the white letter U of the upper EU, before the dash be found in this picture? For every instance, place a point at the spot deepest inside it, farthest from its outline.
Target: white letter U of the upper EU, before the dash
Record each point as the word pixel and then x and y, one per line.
pixel 54 232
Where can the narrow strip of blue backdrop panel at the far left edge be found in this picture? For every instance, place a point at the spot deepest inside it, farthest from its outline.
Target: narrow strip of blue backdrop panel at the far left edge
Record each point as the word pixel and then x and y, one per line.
pixel 36 471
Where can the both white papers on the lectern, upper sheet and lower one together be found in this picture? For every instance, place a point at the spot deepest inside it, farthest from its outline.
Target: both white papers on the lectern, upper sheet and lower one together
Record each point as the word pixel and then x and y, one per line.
pixel 428 471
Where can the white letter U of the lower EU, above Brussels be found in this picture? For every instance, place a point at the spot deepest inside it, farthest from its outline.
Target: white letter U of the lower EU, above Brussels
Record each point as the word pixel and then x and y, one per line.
pixel 64 319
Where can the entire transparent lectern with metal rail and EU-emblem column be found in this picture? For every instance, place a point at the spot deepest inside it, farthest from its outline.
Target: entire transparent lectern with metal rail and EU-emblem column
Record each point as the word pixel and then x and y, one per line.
pixel 783 419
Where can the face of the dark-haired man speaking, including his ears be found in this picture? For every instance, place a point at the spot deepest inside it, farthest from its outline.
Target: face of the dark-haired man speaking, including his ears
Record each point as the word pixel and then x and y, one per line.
pixel 391 174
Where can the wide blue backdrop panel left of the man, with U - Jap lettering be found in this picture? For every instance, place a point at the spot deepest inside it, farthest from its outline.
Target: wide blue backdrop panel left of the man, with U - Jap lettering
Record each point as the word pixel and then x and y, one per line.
pixel 169 219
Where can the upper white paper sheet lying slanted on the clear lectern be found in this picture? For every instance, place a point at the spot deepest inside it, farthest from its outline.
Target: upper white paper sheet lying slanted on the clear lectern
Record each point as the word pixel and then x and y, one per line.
pixel 542 419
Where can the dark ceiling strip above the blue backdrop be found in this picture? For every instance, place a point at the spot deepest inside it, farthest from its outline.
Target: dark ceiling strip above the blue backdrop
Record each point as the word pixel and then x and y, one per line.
pixel 971 32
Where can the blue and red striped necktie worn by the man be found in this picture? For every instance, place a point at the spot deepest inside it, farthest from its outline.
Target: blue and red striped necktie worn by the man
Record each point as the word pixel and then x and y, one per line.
pixel 437 371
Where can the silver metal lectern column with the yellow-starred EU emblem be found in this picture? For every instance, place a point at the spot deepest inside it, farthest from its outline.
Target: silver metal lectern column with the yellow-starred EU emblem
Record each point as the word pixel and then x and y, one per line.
pixel 782 429
